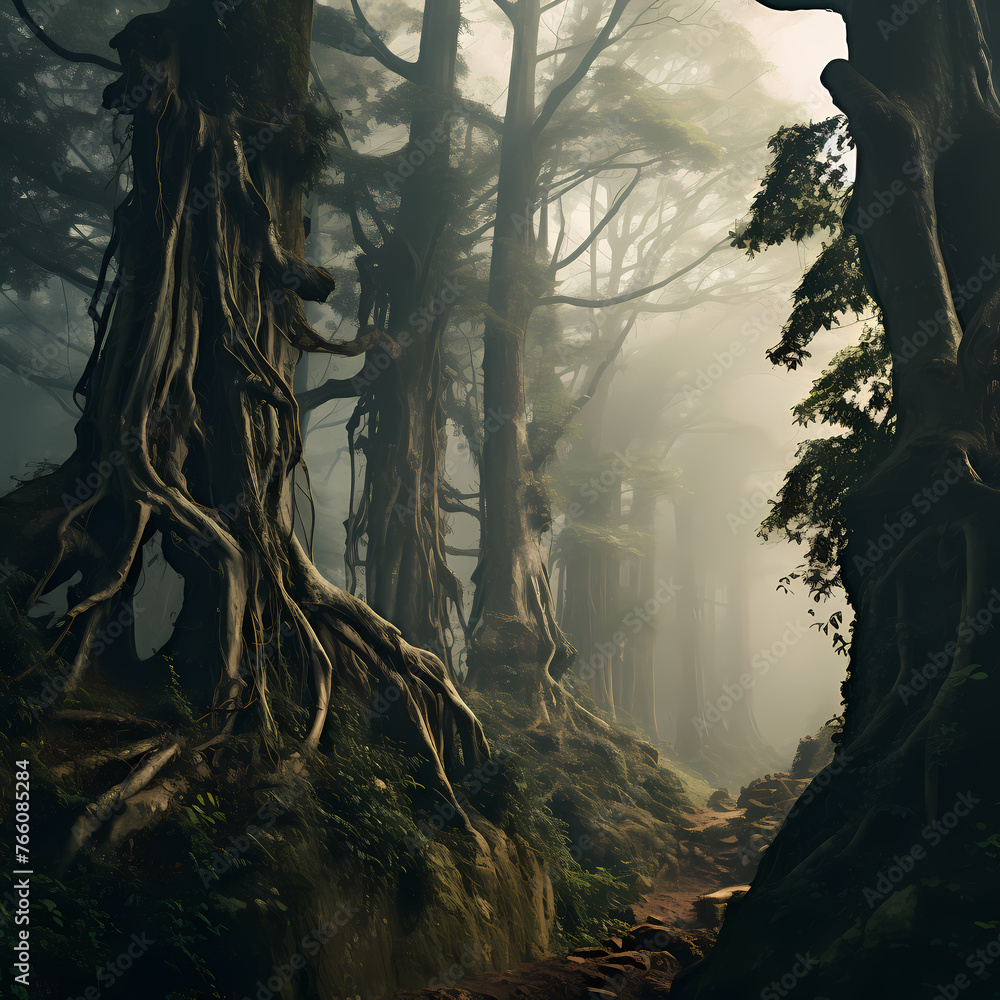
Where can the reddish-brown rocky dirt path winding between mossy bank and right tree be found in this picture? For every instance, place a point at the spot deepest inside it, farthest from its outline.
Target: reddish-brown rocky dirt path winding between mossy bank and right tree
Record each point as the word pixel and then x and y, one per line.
pixel 673 923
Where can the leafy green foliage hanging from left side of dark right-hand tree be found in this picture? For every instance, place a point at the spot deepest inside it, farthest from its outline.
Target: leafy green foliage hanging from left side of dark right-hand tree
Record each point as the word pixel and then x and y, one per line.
pixel 804 192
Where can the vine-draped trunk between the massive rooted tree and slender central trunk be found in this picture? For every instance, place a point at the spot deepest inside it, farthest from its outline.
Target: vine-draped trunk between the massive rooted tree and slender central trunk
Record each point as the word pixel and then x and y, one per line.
pixel 407 579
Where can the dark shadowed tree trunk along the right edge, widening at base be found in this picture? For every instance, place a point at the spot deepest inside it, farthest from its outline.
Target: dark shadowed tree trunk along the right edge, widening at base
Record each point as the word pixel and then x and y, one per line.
pixel 876 882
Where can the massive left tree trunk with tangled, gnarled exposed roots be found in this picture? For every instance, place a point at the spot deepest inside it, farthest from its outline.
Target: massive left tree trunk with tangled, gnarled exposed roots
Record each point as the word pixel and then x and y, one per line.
pixel 190 428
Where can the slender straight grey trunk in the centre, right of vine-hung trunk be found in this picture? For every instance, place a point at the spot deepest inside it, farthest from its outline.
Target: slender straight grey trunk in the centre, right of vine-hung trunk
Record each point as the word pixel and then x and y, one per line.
pixel 516 644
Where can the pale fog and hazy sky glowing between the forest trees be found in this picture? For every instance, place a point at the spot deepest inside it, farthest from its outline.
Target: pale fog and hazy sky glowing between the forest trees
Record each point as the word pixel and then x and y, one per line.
pixel 693 383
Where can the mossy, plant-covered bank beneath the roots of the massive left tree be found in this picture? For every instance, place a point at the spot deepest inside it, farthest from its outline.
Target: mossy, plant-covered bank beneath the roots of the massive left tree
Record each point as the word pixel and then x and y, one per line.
pixel 235 867
